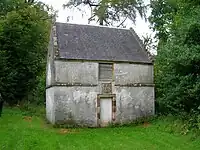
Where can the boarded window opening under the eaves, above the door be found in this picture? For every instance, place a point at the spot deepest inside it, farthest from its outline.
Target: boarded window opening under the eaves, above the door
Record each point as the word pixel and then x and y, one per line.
pixel 105 71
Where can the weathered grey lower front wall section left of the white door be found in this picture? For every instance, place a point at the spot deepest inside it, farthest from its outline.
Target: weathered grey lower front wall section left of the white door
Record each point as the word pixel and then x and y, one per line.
pixel 76 105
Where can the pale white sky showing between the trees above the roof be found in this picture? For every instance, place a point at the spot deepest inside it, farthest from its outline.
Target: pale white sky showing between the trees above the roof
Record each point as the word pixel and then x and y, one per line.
pixel 141 27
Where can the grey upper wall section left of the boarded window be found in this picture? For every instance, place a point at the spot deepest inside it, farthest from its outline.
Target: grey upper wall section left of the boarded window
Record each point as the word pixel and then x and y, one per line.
pixel 76 73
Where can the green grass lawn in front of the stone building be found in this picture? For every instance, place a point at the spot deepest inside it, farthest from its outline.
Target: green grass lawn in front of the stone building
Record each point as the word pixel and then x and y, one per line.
pixel 18 132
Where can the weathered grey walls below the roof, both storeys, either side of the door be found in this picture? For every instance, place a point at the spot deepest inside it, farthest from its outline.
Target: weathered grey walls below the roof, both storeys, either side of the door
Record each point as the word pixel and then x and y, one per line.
pixel 77 86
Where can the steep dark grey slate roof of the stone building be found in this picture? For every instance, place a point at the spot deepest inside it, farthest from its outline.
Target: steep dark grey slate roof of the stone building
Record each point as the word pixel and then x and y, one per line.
pixel 87 42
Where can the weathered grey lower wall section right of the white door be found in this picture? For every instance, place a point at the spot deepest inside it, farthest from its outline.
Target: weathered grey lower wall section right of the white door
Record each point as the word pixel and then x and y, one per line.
pixel 134 102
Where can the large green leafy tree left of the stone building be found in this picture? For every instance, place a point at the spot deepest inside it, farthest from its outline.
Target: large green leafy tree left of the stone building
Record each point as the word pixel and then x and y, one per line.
pixel 24 35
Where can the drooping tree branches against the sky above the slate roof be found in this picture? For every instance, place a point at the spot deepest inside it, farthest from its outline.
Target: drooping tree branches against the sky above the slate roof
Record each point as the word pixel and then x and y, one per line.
pixel 112 12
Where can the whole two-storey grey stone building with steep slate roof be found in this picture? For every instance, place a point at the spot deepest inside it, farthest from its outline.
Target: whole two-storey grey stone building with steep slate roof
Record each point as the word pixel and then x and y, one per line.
pixel 97 75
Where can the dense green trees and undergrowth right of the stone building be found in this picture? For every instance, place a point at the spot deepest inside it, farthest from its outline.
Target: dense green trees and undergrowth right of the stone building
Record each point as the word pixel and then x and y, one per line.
pixel 177 72
